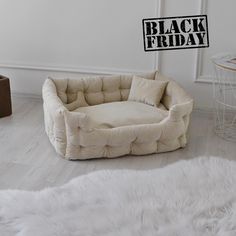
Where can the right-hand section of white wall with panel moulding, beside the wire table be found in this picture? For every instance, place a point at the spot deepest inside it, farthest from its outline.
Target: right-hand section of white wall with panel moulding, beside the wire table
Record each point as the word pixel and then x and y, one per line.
pixel 193 68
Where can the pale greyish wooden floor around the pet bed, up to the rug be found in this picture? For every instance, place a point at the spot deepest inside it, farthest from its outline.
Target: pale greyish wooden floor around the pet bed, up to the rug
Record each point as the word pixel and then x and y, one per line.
pixel 28 161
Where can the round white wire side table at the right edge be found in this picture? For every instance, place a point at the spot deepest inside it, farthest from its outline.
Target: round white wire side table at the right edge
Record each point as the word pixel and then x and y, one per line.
pixel 224 86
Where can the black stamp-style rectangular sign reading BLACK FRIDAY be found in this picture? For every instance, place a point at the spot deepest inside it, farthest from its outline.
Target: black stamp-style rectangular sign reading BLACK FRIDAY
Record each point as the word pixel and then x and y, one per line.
pixel 171 33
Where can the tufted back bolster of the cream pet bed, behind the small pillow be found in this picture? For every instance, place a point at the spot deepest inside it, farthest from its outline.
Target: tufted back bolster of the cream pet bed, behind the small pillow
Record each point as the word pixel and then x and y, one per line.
pixel 96 90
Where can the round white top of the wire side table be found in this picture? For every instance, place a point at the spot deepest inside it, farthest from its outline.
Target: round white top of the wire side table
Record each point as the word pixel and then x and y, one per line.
pixel 226 61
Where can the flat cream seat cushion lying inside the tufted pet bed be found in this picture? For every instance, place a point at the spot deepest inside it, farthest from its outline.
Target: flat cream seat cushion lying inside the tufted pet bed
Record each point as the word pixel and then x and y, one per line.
pixel 117 114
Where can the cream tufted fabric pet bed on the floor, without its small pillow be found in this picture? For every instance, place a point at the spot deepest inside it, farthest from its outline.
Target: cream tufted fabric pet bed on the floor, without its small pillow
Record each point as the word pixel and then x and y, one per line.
pixel 91 117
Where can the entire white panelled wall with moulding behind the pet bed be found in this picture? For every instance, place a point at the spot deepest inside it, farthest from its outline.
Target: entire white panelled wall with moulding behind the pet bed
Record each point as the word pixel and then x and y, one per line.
pixel 80 37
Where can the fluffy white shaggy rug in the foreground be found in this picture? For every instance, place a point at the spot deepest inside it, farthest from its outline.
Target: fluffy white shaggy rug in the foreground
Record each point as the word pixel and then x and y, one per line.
pixel 188 198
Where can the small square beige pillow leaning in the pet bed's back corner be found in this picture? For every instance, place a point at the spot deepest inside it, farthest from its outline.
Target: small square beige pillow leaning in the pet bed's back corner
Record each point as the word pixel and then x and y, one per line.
pixel 146 91
